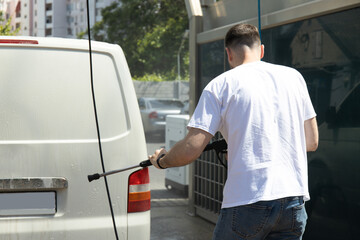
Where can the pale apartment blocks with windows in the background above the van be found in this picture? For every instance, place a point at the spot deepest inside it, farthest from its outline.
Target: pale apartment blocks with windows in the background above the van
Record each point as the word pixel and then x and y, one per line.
pixel 52 18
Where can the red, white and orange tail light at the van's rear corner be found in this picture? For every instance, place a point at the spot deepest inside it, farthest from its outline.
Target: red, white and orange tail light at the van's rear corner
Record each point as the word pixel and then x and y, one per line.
pixel 139 191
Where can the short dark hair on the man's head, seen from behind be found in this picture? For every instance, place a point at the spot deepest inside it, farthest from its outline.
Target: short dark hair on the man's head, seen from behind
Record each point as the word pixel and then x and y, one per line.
pixel 242 34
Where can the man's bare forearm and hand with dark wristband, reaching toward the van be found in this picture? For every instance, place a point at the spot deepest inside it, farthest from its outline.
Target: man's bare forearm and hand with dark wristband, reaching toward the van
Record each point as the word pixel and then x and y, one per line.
pixel 183 152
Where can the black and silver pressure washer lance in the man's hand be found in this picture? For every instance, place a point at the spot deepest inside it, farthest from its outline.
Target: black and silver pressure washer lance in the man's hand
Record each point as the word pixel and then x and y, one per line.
pixel 218 146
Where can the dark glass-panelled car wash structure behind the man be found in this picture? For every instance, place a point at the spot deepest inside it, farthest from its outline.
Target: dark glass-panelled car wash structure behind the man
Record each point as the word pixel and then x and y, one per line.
pixel 320 38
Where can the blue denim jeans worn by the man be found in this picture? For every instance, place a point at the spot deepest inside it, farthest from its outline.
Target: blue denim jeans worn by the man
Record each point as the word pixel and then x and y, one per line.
pixel 271 220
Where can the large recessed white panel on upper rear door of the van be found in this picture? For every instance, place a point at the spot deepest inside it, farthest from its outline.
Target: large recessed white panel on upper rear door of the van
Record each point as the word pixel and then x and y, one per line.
pixel 45 94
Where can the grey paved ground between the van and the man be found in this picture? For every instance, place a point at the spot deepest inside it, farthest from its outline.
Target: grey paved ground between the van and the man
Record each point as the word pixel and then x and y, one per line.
pixel 170 218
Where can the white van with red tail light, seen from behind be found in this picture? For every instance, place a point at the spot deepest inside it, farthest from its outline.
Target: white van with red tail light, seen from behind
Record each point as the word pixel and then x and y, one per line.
pixel 48 143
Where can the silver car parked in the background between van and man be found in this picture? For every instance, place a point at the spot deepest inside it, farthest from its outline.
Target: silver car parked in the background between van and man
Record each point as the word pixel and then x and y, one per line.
pixel 154 111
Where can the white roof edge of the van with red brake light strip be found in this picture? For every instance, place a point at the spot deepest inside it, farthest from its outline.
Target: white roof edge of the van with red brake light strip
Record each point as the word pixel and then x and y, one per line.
pixel 53 42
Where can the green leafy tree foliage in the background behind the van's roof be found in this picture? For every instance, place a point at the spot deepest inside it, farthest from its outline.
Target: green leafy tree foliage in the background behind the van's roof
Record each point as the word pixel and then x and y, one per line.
pixel 150 33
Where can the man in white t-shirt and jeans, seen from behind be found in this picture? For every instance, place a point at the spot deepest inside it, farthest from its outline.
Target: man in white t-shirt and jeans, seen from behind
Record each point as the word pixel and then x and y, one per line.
pixel 265 114
